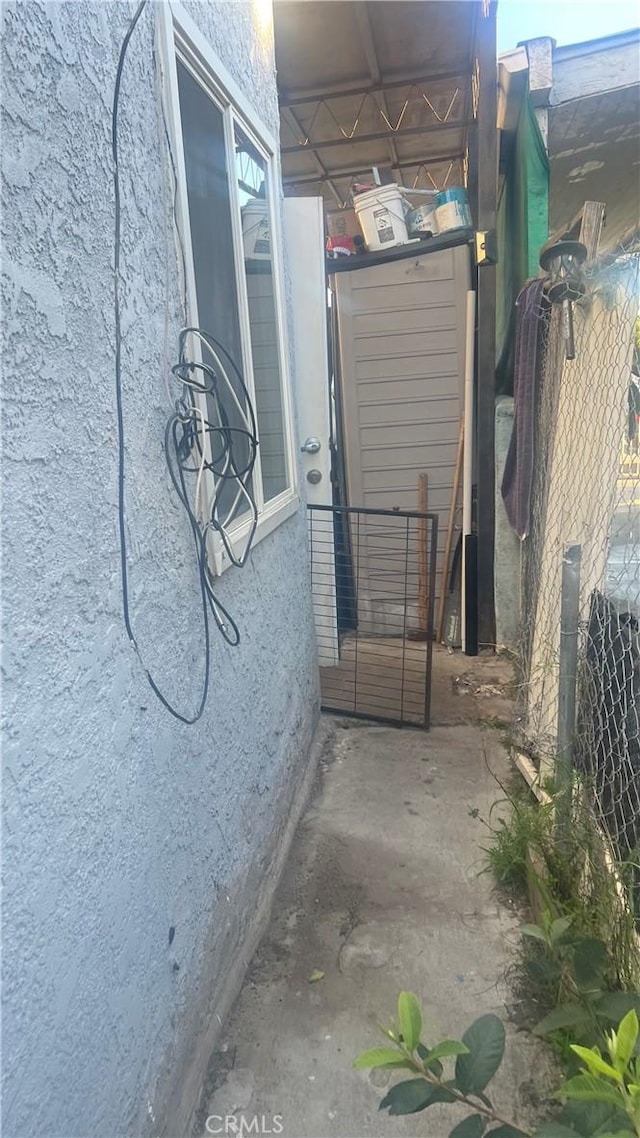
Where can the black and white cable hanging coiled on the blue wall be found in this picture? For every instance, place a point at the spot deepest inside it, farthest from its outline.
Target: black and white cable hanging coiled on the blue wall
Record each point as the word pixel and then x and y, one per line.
pixel 200 441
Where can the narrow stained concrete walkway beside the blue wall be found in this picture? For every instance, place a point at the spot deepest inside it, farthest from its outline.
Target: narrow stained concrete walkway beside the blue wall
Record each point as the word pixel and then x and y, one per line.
pixel 383 892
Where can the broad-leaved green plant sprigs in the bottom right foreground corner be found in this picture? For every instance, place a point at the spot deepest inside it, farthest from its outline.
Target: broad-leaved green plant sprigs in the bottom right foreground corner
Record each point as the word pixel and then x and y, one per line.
pixel 610 1086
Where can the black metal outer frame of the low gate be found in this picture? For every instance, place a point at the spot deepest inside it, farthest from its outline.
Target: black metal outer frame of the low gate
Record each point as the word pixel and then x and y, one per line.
pixel 431 521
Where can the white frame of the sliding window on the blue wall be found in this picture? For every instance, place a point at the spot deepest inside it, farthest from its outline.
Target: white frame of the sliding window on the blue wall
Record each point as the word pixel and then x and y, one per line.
pixel 179 38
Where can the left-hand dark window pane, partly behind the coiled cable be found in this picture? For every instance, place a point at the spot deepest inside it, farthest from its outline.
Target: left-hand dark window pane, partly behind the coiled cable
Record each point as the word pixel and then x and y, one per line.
pixel 212 243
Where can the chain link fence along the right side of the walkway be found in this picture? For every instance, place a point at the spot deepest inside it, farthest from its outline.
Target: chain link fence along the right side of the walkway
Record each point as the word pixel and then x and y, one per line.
pixel 586 494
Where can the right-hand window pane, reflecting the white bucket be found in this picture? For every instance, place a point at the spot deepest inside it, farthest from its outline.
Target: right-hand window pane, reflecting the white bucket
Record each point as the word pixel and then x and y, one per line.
pixel 257 238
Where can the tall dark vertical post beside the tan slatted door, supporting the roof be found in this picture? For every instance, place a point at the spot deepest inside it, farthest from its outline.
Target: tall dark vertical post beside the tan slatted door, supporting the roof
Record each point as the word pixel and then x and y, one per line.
pixel 487 156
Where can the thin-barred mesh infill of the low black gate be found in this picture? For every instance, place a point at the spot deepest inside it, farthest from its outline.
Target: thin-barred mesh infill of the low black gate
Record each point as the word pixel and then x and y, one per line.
pixel 373 583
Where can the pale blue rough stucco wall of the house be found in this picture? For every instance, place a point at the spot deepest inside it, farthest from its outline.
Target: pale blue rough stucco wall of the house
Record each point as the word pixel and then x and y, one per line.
pixel 120 823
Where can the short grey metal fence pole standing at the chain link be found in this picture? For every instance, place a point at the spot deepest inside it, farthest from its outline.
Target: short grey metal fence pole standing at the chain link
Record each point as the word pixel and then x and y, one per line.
pixel 568 680
